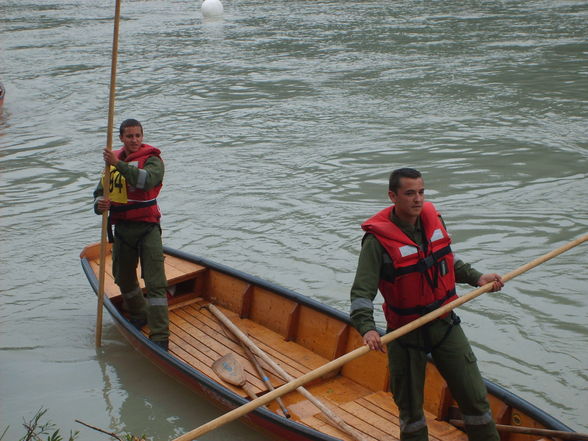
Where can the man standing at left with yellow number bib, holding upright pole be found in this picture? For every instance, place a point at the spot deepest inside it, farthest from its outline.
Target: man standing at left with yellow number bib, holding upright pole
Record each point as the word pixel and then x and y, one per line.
pixel 136 175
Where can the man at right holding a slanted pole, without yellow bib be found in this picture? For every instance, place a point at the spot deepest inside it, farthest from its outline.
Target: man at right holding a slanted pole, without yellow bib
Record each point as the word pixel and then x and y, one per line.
pixel 406 254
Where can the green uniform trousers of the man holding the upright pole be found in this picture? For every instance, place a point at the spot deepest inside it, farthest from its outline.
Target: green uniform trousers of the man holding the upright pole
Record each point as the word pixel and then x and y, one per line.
pixel 136 242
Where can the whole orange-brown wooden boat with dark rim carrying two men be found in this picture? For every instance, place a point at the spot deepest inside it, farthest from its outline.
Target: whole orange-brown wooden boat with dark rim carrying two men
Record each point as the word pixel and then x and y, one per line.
pixel 300 334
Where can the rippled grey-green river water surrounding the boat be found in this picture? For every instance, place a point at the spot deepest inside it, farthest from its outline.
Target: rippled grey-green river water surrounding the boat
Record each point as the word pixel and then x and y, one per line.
pixel 279 126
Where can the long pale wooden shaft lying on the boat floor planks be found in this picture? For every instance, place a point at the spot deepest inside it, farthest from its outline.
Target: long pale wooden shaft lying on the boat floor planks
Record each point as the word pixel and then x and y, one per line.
pixel 332 416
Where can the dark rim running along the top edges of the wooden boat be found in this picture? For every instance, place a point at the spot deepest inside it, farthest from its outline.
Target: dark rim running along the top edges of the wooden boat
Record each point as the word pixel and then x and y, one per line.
pixel 509 398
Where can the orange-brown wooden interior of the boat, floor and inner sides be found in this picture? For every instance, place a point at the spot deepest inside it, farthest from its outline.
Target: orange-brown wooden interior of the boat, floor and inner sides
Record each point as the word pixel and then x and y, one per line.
pixel 300 339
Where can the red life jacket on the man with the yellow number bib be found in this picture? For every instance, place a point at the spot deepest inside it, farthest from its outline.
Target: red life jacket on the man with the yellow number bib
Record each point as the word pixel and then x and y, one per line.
pixel 141 205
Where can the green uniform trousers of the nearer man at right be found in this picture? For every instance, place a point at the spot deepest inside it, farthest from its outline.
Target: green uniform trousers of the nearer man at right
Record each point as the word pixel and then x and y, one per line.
pixel 453 356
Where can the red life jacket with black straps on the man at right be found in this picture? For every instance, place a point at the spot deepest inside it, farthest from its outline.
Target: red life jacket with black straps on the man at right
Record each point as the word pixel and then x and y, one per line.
pixel 414 280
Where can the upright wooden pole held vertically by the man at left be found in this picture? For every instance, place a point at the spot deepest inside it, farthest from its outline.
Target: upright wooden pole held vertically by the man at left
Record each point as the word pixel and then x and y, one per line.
pixel 106 181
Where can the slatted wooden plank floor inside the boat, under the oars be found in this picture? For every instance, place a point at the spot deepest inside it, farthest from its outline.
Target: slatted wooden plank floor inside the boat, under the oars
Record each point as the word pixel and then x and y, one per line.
pixel 199 339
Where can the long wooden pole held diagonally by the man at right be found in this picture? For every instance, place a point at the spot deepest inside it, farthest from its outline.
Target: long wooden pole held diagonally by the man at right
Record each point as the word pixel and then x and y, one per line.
pixel 338 362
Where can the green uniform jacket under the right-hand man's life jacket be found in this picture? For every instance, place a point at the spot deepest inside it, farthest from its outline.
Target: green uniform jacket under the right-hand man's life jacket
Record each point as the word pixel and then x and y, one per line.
pixel 367 277
